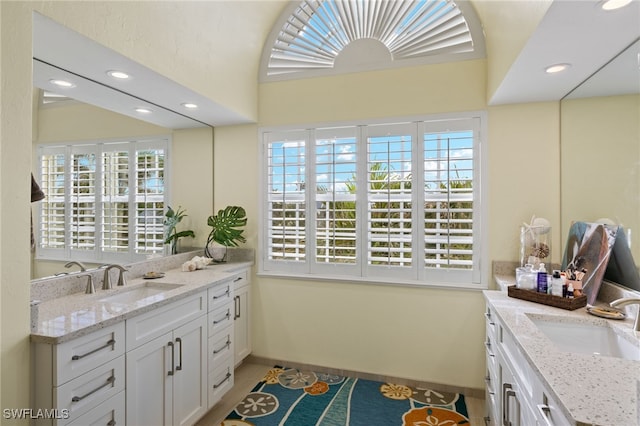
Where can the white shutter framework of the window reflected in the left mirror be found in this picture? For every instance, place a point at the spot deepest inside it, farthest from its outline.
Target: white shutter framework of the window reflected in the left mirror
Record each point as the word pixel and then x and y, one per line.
pixel 99 146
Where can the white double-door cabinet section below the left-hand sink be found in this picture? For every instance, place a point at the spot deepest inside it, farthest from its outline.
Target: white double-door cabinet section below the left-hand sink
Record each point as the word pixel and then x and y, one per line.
pixel 166 364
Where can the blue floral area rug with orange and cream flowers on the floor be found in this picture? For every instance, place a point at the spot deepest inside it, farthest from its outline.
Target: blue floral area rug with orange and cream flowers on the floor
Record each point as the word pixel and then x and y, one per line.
pixel 292 397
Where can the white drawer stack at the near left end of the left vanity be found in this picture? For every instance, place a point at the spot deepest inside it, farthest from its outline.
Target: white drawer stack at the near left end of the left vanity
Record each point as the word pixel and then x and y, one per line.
pixel 81 375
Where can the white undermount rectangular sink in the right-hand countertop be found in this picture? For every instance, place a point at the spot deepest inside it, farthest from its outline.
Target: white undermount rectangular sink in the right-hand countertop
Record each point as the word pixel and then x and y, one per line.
pixel 586 338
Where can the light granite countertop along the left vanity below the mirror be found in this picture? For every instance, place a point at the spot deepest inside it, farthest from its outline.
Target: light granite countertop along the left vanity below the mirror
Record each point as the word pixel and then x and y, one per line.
pixel 65 318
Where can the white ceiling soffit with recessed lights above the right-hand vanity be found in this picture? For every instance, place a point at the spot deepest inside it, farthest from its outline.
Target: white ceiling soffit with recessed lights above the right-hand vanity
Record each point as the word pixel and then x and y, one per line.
pixel 580 33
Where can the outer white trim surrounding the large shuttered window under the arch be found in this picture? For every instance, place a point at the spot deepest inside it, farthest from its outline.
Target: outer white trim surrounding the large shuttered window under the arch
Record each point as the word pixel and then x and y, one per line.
pixel 386 276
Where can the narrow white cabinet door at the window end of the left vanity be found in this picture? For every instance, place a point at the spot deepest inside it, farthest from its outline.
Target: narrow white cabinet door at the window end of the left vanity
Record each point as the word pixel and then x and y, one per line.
pixel 241 323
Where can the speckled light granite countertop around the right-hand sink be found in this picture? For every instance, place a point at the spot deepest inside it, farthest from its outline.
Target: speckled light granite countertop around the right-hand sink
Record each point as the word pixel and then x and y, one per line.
pixel 594 390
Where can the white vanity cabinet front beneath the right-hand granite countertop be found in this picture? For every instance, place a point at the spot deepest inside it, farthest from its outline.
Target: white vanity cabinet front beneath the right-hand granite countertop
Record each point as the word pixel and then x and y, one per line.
pixel 514 395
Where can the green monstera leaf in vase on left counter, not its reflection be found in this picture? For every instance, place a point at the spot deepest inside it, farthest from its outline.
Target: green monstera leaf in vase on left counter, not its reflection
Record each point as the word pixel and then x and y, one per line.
pixel 226 230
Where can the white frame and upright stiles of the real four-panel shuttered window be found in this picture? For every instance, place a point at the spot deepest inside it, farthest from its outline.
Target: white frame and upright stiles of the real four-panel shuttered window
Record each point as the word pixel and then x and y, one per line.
pixel 417 274
